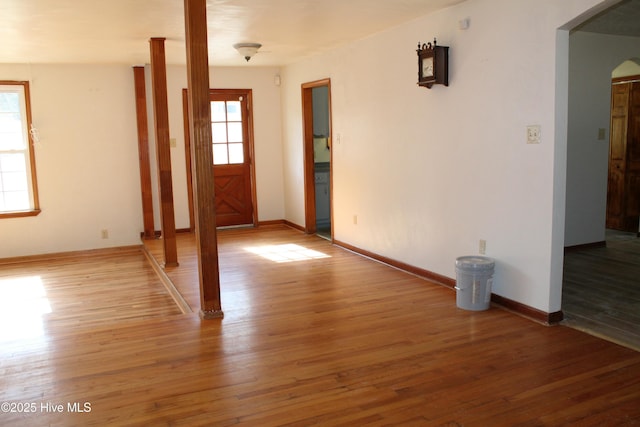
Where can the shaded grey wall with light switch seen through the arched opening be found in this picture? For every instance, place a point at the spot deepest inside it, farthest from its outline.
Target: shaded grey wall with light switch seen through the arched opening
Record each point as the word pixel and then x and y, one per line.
pixel 593 57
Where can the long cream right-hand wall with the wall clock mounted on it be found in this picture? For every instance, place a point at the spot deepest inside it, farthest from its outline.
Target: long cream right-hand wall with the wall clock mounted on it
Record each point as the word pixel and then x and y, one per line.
pixel 431 172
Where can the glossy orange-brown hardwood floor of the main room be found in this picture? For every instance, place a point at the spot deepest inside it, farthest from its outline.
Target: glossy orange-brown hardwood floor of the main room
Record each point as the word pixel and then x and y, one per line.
pixel 328 338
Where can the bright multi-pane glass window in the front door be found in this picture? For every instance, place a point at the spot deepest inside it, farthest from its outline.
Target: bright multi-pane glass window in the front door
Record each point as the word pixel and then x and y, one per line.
pixel 226 130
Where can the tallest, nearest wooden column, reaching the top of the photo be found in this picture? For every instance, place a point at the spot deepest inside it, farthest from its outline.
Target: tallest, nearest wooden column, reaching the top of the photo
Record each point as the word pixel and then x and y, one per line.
pixel 195 12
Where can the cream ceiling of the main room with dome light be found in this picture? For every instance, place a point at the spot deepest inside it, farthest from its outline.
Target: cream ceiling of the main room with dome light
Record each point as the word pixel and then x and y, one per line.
pixel 117 31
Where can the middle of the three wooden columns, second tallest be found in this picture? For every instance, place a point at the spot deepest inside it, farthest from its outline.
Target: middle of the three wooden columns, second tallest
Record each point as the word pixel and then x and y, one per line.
pixel 163 150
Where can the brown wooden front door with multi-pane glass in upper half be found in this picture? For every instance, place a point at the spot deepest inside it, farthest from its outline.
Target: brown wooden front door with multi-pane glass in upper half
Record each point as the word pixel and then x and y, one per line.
pixel 232 141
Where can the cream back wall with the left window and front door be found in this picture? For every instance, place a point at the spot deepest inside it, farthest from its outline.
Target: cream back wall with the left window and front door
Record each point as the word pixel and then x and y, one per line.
pixel 87 159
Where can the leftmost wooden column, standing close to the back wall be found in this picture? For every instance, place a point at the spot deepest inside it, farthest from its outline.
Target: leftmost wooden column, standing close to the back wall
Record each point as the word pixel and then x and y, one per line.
pixel 143 153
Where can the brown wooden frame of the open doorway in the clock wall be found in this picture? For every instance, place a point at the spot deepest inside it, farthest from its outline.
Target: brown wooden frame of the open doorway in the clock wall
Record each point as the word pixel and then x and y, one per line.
pixel 308 161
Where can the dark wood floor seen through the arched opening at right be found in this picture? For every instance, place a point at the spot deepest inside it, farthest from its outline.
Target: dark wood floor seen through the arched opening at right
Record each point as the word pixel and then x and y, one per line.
pixel 601 290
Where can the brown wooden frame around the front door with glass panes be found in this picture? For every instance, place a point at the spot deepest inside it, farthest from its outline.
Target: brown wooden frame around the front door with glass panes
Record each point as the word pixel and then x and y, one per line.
pixel 187 146
